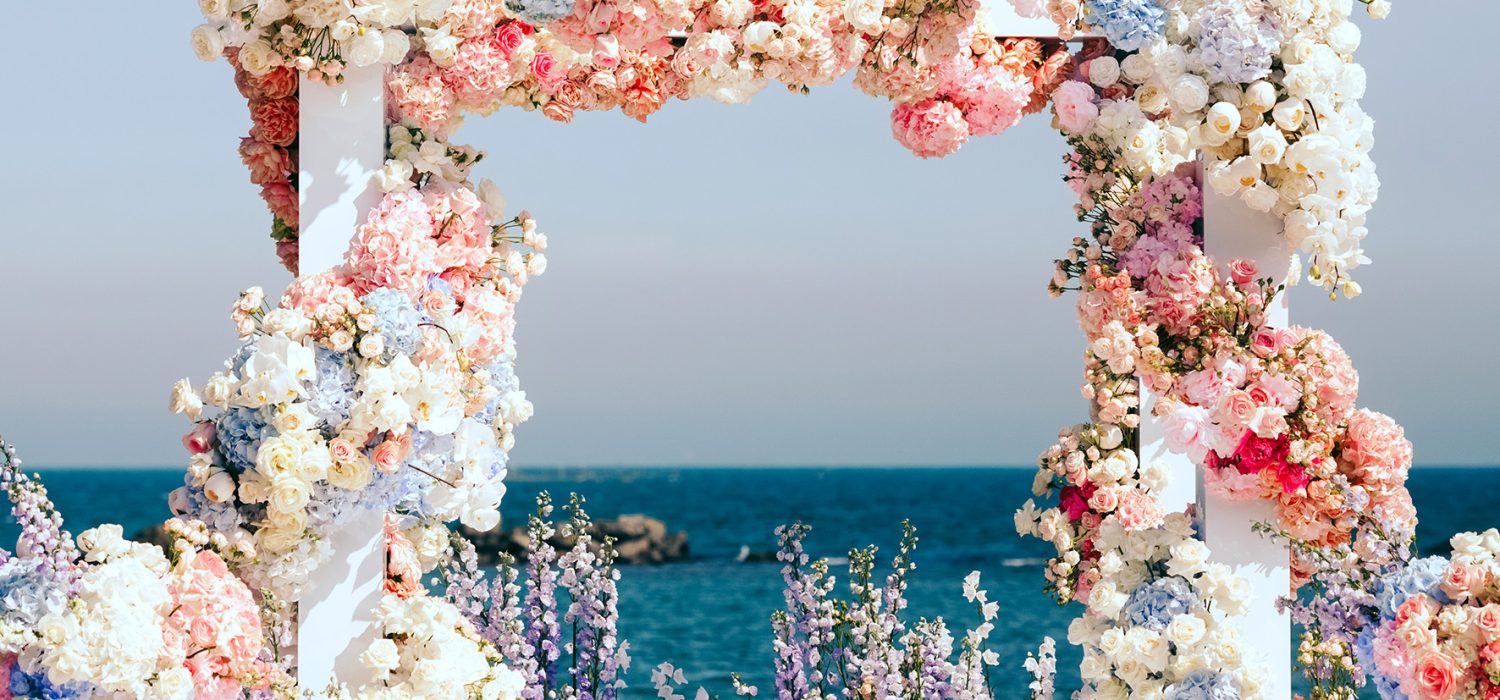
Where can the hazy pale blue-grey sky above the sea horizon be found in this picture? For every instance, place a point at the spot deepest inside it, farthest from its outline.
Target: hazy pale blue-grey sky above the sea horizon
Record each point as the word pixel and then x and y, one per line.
pixel 767 284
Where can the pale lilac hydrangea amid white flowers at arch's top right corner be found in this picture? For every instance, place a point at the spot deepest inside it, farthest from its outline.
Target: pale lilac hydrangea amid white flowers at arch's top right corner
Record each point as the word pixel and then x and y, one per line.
pixel 1237 44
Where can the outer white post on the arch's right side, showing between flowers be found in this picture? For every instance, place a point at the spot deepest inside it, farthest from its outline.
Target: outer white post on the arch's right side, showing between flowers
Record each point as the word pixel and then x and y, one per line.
pixel 1232 230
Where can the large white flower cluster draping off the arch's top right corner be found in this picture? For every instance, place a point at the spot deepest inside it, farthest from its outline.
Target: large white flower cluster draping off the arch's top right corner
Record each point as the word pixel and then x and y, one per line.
pixel 1268 92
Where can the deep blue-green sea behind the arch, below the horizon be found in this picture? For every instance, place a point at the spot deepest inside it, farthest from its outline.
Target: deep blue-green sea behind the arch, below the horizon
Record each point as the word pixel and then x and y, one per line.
pixel 710 615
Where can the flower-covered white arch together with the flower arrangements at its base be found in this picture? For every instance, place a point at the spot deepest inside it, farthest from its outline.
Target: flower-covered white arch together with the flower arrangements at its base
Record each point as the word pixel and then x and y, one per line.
pixel 374 404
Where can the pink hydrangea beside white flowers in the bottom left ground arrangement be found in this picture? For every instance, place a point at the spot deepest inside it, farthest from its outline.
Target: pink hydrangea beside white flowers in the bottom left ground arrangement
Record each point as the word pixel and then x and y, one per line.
pixel 215 627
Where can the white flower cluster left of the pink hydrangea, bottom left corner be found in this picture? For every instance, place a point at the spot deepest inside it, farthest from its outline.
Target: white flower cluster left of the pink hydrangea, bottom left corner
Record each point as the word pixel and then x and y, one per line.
pixel 106 635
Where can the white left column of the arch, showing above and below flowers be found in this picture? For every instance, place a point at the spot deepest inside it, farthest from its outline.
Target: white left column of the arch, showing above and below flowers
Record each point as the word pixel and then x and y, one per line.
pixel 341 146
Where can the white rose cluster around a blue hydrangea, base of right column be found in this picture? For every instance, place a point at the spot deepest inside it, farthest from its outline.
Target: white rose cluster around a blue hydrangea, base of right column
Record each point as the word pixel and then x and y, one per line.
pixel 1159 620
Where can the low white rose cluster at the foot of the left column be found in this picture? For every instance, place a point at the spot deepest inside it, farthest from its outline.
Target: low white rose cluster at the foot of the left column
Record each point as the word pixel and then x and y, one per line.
pixel 433 651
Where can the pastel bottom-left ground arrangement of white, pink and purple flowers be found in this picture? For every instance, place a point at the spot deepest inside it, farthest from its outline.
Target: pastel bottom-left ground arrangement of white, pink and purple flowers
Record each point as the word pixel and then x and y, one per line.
pixel 103 617
